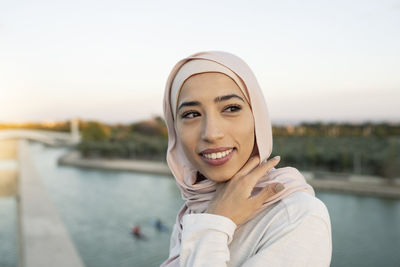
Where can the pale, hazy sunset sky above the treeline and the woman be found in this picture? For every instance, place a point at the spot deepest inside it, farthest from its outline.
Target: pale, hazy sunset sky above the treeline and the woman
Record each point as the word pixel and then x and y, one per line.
pixel 109 60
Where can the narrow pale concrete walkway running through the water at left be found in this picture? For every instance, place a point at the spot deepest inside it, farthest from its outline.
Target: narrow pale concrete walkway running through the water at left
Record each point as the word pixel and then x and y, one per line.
pixel 44 241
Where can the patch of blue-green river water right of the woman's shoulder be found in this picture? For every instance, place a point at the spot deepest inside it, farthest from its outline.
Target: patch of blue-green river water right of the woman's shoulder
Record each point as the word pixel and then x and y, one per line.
pixel 366 230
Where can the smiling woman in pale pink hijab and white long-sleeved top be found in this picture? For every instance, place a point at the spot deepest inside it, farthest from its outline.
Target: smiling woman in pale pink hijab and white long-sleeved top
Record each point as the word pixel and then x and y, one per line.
pixel 239 210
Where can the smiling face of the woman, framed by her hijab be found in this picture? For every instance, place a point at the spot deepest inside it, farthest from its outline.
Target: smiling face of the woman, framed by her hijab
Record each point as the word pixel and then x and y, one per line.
pixel 215 125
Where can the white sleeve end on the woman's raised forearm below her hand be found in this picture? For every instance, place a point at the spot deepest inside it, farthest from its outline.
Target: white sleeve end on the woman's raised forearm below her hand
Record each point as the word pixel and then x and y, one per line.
pixel 205 240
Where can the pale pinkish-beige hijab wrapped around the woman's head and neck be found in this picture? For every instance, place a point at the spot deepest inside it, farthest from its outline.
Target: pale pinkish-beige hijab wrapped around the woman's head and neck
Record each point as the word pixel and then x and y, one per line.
pixel 198 195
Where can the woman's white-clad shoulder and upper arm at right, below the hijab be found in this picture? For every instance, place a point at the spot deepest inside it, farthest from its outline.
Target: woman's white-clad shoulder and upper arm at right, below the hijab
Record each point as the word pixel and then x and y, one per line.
pixel 298 226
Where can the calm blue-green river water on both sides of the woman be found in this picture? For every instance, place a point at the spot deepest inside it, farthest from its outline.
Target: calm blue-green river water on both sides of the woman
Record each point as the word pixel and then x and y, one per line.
pixel 99 209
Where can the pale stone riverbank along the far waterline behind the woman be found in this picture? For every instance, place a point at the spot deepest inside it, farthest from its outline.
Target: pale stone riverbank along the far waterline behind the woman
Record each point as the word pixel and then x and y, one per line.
pixel 354 184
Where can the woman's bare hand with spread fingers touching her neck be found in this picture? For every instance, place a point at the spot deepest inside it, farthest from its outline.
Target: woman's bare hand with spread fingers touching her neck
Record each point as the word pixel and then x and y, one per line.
pixel 233 199
